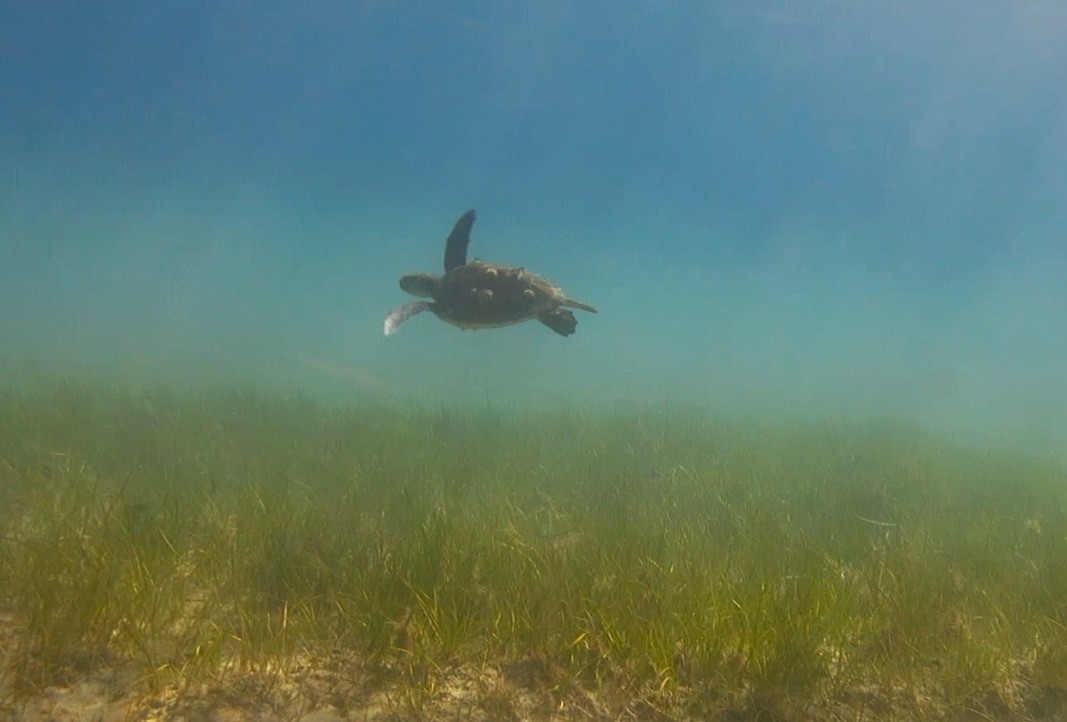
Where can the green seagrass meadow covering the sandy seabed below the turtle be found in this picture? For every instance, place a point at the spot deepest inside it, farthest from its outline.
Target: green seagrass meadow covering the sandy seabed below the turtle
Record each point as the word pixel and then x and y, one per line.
pixel 197 555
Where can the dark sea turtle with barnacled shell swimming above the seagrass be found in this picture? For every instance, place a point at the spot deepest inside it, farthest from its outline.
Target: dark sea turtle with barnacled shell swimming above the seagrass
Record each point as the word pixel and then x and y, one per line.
pixel 484 296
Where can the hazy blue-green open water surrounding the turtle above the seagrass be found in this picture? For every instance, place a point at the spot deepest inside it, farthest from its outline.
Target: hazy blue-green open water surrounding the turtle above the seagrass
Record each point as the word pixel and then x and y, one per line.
pixel 797 208
